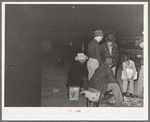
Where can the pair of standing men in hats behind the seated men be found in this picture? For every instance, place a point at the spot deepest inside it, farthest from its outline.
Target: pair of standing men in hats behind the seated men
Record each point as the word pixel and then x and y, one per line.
pixel 98 53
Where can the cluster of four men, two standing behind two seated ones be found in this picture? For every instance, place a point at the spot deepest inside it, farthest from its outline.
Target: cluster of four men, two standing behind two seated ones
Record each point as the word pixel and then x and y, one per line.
pixel 97 70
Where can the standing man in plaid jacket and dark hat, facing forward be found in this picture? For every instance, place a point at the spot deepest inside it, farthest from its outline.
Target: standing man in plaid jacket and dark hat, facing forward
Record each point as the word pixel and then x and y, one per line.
pixel 110 50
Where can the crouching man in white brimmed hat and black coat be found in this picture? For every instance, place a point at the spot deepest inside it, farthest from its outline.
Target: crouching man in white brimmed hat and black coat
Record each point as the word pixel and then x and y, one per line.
pixel 78 73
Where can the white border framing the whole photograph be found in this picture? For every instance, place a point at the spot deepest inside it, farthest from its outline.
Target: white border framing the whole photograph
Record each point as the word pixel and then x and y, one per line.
pixel 68 113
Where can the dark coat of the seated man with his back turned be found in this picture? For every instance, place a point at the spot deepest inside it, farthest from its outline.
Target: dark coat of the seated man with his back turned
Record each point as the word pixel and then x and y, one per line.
pixel 102 76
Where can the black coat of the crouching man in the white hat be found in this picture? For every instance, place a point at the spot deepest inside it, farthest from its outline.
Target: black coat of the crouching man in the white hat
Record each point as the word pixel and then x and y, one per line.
pixel 76 73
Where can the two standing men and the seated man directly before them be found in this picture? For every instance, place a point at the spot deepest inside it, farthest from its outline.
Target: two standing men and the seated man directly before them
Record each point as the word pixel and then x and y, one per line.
pixel 102 65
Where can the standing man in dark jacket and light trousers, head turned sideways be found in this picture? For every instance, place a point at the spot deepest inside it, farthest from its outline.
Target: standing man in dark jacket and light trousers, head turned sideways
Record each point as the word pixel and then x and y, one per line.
pixel 94 54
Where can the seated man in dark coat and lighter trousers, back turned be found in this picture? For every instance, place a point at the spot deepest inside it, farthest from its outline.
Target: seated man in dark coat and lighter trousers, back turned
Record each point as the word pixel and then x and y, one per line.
pixel 104 80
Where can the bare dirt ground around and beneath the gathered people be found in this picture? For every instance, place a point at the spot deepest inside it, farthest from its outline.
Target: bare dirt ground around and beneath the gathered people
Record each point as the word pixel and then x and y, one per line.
pixel 54 91
